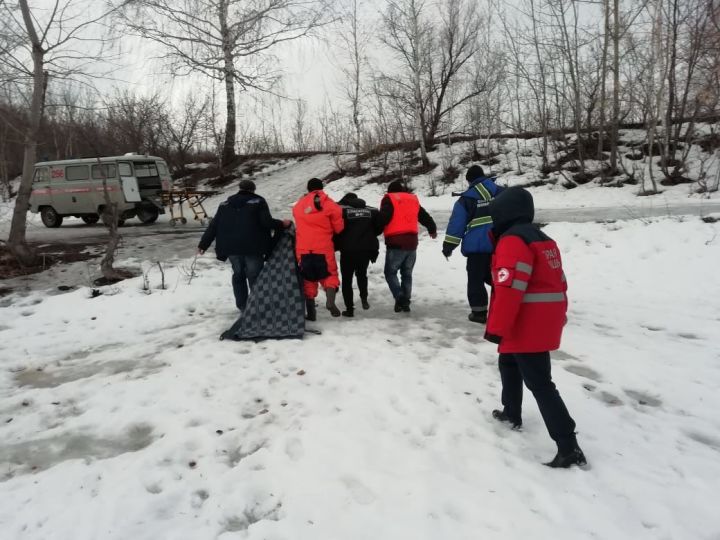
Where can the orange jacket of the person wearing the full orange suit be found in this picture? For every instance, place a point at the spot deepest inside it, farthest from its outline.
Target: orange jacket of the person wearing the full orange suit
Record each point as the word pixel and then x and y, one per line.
pixel 317 218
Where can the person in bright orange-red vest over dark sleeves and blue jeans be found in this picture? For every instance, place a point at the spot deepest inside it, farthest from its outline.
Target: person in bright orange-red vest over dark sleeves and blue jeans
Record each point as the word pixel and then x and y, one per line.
pixel 400 212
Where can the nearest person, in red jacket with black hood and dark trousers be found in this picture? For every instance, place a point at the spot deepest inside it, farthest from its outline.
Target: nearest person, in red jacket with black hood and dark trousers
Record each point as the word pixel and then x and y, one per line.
pixel 526 319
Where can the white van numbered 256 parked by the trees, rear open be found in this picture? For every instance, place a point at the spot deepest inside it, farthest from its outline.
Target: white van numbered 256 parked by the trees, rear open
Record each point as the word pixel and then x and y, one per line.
pixel 74 187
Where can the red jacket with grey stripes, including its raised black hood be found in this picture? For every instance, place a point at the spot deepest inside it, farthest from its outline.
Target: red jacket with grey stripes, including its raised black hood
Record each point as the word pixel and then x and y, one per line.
pixel 529 303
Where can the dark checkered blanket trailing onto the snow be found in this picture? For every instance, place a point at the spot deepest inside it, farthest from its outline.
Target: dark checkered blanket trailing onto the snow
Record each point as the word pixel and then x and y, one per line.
pixel 276 306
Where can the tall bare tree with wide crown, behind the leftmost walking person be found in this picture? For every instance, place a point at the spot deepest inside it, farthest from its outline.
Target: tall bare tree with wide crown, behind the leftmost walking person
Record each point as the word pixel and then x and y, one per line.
pixel 227 40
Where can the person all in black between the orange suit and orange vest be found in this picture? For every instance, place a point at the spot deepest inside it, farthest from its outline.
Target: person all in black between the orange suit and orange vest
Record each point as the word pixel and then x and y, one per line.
pixel 358 246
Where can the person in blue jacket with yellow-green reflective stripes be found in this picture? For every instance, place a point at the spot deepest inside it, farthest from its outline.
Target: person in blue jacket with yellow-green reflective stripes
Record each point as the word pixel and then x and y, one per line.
pixel 470 225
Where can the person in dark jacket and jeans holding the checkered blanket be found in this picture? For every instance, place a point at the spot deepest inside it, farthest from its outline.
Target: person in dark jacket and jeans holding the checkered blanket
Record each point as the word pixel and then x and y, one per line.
pixel 242 230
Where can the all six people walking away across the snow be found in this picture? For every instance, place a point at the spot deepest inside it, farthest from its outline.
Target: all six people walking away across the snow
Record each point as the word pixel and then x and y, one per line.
pixel 524 316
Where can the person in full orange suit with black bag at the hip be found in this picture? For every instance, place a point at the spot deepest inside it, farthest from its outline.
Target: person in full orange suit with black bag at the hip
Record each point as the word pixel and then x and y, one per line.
pixel 317 219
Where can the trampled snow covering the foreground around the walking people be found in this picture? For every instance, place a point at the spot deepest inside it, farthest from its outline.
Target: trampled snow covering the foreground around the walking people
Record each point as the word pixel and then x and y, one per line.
pixel 123 417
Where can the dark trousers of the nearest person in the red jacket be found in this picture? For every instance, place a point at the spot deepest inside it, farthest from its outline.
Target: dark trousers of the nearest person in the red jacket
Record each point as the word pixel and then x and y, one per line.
pixel 534 370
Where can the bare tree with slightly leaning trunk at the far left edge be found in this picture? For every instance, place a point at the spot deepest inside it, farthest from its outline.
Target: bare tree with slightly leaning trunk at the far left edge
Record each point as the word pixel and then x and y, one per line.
pixel 50 48
